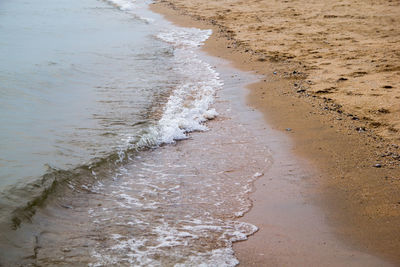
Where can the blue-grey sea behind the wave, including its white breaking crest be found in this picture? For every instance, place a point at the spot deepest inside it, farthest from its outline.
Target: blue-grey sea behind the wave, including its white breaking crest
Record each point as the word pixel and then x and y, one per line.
pixel 85 82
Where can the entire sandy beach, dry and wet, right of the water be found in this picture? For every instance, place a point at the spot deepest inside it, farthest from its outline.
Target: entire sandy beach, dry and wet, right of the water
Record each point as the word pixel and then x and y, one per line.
pixel 330 77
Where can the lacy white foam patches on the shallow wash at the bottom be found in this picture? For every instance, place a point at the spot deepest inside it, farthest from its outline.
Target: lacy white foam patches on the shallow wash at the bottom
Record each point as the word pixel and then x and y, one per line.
pixel 153 230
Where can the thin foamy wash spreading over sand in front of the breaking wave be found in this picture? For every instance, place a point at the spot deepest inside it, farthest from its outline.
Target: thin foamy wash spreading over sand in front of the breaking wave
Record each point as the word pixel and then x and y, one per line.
pixel 170 206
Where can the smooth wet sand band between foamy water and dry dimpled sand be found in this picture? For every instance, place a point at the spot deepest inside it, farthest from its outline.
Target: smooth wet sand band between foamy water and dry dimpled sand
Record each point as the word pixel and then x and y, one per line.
pixel 348 205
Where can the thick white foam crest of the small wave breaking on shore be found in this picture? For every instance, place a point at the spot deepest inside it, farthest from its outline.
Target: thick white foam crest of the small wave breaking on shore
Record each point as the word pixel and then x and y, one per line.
pixel 190 104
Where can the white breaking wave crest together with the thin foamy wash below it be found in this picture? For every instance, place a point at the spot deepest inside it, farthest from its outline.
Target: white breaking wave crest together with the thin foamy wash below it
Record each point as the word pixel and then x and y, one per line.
pixel 104 193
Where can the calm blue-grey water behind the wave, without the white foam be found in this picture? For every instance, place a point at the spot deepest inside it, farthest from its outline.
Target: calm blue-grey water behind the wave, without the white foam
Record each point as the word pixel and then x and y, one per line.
pixel 76 78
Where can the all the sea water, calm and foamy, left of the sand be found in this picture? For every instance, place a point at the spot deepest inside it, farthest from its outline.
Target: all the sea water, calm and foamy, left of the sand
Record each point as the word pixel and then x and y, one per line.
pixel 92 94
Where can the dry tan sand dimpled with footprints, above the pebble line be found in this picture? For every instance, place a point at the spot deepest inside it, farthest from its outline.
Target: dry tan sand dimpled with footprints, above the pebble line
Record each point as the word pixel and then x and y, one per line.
pixel 347 51
